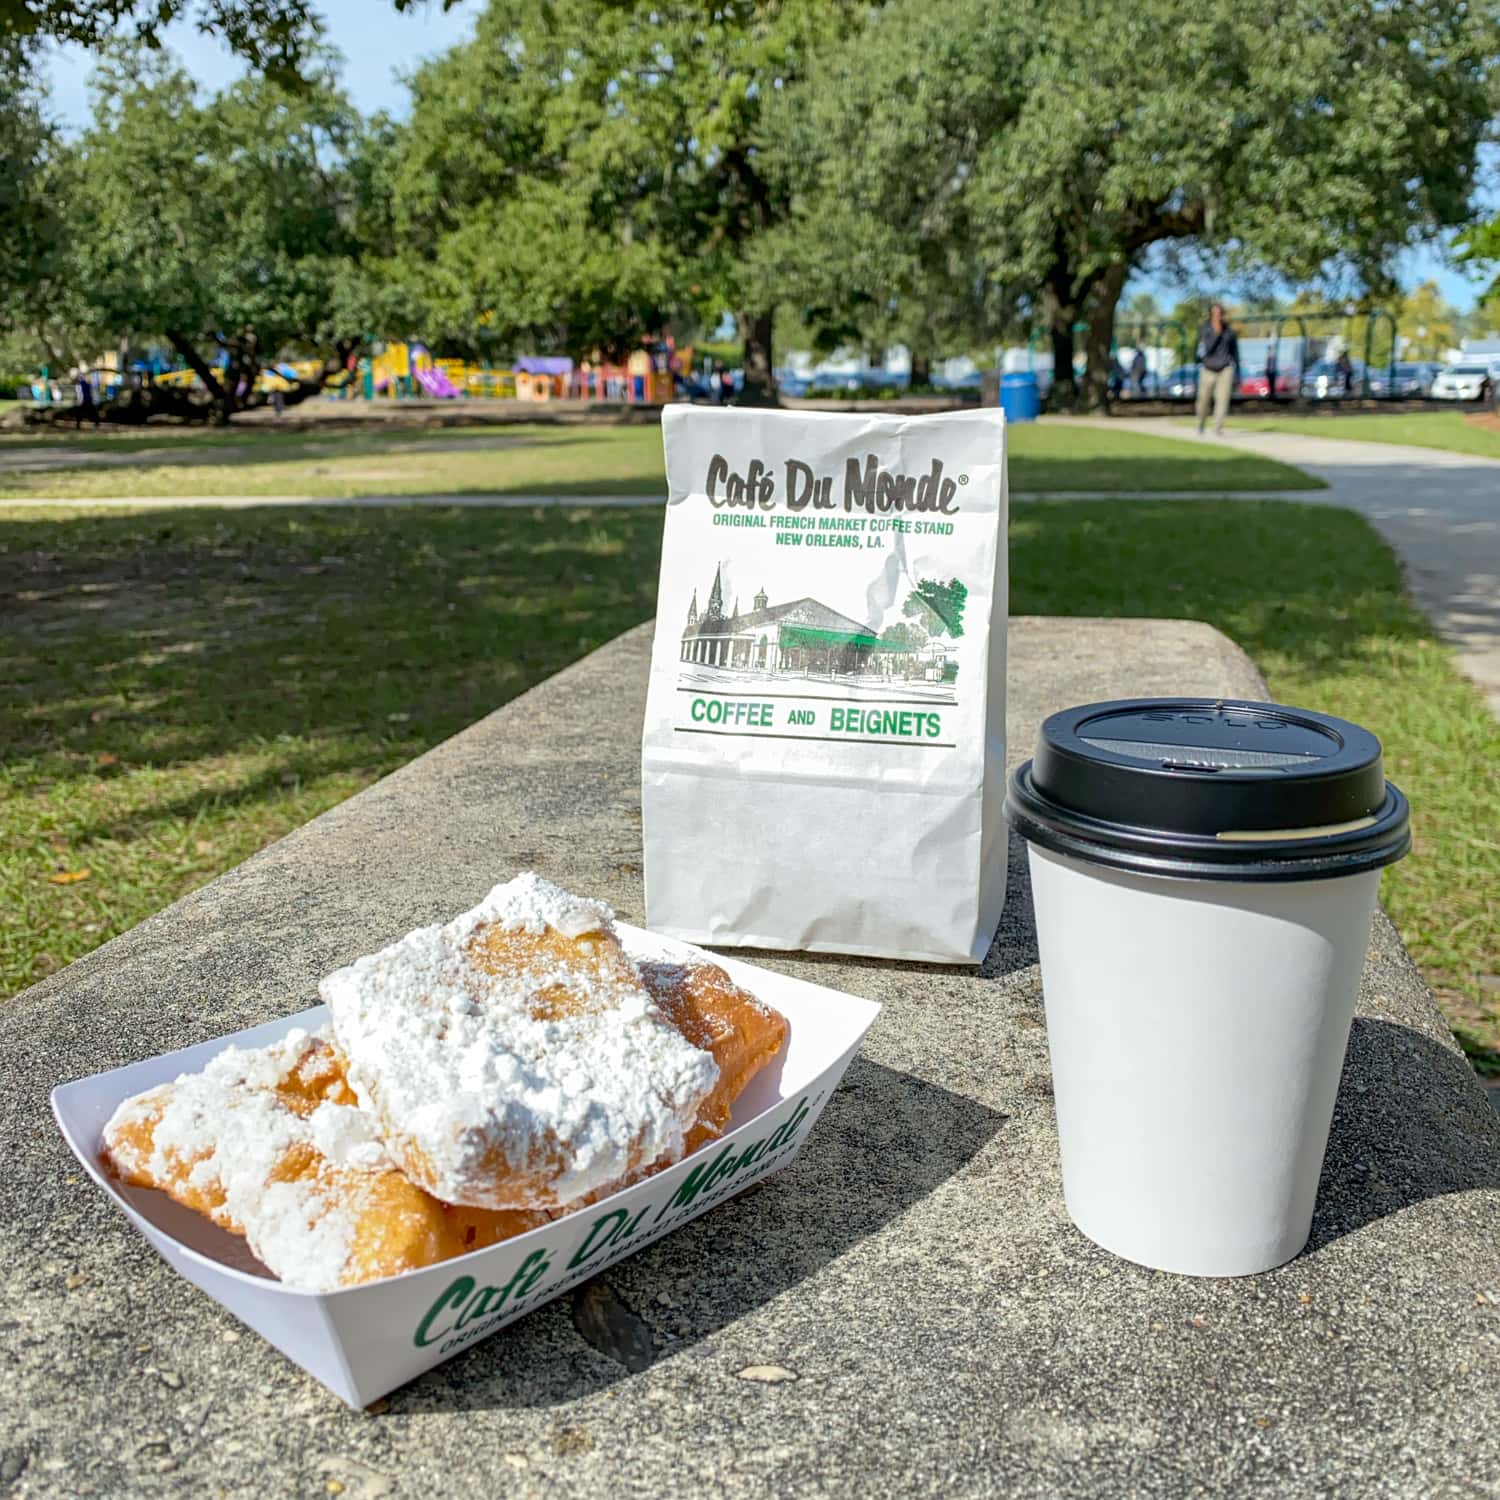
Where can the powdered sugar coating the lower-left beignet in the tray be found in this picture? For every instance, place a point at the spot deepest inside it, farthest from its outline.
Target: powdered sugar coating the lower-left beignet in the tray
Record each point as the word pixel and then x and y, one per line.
pixel 226 1133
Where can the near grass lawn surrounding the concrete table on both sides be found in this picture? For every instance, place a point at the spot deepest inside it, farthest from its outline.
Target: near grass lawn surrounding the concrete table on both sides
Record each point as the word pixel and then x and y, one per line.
pixel 188 688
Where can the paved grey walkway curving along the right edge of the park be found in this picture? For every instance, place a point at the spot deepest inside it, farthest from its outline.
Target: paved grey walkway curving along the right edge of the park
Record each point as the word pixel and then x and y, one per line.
pixel 1439 511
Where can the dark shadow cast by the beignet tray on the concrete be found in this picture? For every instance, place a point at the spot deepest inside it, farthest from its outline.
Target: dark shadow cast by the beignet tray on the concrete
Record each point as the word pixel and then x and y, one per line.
pixel 886 1142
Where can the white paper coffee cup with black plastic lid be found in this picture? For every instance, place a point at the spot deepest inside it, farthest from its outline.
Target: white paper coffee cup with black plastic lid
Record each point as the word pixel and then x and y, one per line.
pixel 1201 964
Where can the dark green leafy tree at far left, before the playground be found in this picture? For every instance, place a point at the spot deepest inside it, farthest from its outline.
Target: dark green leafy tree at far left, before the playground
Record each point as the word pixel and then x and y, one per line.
pixel 226 224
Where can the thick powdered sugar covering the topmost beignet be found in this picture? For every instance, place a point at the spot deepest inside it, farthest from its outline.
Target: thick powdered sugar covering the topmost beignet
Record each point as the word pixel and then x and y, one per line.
pixel 493 1093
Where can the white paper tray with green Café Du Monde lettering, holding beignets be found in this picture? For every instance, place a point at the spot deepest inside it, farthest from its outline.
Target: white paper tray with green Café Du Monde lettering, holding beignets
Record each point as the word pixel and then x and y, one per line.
pixel 364 1342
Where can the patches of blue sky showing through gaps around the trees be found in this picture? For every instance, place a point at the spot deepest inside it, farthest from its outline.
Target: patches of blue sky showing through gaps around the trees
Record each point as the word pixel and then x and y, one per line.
pixel 380 46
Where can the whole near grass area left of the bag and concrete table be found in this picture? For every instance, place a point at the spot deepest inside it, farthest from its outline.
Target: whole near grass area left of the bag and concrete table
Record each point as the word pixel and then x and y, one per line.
pixel 182 691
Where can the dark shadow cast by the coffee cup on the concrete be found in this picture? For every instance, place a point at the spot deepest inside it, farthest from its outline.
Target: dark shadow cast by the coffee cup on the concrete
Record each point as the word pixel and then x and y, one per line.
pixel 1409 1126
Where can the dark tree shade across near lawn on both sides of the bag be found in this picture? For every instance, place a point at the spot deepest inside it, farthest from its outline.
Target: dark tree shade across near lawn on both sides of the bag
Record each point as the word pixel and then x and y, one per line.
pixel 184 638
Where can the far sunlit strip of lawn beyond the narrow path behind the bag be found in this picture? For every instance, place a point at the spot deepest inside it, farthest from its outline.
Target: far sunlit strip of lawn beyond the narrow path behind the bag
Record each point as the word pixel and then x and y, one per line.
pixel 335 464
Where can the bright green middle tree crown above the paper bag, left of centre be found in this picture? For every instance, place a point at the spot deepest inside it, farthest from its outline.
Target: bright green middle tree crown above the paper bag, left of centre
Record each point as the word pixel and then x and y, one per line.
pixel 586 167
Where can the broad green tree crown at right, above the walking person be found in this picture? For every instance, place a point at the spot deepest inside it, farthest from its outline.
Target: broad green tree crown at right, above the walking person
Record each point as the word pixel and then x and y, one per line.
pixel 1057 143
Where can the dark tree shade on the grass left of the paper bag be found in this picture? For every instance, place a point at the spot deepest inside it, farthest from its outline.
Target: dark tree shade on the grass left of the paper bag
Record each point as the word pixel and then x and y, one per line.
pixel 370 634
